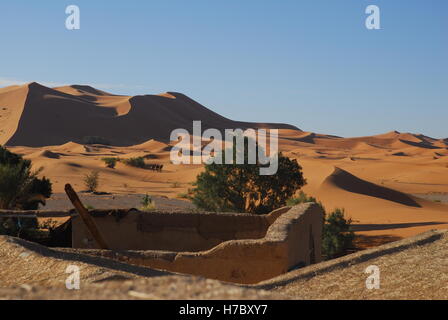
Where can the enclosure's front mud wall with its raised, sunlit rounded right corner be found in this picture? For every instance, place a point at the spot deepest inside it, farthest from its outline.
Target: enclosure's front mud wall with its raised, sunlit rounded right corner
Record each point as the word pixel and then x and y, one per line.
pixel 292 240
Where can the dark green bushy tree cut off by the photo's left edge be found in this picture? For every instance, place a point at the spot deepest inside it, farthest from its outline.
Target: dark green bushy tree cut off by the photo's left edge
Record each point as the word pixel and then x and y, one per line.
pixel 20 187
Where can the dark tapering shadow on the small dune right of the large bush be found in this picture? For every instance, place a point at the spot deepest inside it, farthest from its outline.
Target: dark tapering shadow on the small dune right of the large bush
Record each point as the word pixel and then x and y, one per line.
pixel 348 182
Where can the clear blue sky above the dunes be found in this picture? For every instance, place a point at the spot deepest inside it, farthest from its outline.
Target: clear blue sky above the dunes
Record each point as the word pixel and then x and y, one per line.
pixel 311 63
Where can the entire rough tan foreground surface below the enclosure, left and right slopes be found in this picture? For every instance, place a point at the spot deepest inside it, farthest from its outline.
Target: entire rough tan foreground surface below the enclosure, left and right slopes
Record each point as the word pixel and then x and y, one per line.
pixel 413 268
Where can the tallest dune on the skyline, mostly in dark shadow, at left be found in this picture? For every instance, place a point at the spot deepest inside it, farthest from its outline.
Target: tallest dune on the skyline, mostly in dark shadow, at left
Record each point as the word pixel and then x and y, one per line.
pixel 80 113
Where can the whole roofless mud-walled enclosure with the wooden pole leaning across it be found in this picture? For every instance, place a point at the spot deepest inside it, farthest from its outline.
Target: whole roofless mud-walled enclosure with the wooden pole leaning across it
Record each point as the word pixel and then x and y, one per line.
pixel 238 248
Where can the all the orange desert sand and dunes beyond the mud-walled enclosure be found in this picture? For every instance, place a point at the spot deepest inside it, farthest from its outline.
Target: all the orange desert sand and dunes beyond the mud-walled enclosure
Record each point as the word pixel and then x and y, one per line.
pixel 375 178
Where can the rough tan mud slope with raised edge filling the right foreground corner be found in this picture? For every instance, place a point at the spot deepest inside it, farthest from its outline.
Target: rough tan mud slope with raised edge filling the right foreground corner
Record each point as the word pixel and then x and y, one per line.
pixel 412 271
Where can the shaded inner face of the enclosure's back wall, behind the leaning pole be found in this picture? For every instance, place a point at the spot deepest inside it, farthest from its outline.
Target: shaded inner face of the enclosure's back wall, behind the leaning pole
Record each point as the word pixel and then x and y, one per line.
pixel 169 231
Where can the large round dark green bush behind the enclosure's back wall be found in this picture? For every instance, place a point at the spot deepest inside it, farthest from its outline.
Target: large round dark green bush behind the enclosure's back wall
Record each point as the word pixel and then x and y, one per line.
pixel 241 188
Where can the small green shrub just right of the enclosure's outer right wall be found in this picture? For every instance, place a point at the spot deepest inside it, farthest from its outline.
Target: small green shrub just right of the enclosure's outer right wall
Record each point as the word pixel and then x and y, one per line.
pixel 337 236
